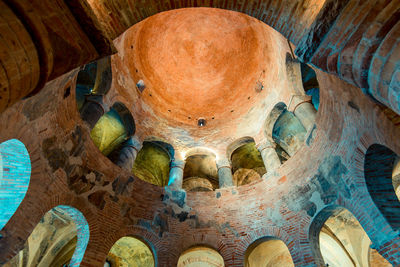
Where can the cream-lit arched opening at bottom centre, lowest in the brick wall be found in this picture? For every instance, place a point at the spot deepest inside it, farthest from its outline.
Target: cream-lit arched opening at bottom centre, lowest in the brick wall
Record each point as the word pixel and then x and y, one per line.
pixel 201 256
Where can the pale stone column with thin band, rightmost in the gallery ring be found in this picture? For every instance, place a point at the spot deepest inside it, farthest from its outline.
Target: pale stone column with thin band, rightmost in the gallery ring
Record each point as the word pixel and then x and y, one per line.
pixel 304 110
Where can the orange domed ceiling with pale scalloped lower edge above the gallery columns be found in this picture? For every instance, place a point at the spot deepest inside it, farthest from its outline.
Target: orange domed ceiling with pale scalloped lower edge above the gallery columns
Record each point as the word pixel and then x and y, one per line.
pixel 200 77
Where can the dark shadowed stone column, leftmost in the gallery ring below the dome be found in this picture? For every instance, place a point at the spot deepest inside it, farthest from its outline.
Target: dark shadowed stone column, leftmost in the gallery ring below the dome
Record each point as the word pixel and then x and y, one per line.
pixel 92 109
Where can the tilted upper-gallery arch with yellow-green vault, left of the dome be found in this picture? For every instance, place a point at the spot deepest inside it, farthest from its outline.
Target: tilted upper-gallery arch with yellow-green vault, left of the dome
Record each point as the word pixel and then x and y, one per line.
pixel 113 128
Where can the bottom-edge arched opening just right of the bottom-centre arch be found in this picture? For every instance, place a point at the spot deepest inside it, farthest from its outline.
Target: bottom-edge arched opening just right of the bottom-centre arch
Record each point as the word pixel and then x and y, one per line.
pixel 268 252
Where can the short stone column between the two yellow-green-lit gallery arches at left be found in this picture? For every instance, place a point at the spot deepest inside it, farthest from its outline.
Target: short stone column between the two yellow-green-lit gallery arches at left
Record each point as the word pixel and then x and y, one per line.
pixel 127 155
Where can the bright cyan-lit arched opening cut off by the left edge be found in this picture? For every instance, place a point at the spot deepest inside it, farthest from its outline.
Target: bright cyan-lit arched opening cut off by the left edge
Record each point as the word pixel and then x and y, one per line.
pixel 15 173
